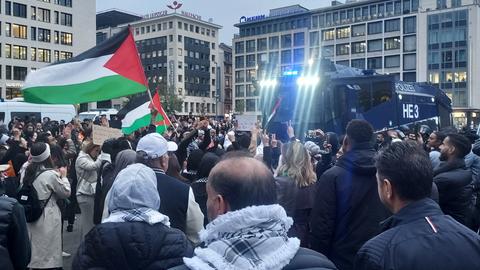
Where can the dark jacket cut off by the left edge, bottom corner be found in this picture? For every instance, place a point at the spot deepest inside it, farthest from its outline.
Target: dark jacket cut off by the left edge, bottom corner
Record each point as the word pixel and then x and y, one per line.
pixel 15 250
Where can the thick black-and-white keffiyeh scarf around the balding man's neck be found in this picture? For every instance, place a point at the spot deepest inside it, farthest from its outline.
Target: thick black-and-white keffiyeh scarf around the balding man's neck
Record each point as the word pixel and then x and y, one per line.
pixel 251 238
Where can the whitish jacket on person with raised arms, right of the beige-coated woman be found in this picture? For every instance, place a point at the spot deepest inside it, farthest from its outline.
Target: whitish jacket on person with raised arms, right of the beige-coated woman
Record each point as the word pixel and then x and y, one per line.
pixel 87 170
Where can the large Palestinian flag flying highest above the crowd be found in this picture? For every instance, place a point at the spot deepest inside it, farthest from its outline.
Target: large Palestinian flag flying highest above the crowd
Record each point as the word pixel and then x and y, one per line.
pixel 110 70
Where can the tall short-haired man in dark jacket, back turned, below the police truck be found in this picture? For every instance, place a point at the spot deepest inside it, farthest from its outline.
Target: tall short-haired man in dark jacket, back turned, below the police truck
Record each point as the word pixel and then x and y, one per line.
pixel 347 210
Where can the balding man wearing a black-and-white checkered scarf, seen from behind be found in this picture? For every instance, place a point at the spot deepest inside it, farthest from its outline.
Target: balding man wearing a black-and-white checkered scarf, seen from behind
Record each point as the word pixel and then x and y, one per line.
pixel 248 229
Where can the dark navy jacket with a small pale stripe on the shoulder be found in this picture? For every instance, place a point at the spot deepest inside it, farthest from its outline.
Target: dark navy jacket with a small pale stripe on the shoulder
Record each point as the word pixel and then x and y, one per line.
pixel 421 237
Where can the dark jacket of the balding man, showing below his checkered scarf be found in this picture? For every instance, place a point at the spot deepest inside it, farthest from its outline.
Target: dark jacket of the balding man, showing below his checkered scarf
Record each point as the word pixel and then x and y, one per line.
pixel 305 259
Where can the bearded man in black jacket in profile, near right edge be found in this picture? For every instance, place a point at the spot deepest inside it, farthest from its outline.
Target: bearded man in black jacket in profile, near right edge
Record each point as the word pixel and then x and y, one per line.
pixel 453 179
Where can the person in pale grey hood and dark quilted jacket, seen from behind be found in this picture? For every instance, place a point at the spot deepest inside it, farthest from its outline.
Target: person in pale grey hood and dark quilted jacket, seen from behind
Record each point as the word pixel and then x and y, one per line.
pixel 137 234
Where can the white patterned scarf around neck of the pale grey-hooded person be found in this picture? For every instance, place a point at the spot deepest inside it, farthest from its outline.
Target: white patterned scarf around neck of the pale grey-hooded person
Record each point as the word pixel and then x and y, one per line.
pixel 146 215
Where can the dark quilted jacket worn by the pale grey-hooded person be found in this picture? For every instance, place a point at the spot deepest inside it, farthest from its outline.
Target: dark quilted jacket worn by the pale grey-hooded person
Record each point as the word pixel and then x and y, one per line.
pixel 132 245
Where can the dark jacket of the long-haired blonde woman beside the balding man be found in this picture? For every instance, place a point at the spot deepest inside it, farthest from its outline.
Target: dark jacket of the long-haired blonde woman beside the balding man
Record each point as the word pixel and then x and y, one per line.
pixel 298 203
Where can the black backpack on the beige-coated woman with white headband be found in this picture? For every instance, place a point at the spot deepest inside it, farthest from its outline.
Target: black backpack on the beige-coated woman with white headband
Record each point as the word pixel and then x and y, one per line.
pixel 27 196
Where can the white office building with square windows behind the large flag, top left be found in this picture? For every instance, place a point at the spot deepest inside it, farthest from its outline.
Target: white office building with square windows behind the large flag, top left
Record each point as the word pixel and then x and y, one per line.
pixel 36 33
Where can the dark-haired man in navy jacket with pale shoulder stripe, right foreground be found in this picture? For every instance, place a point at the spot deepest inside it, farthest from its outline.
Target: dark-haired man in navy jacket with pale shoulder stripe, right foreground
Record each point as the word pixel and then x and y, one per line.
pixel 418 235
